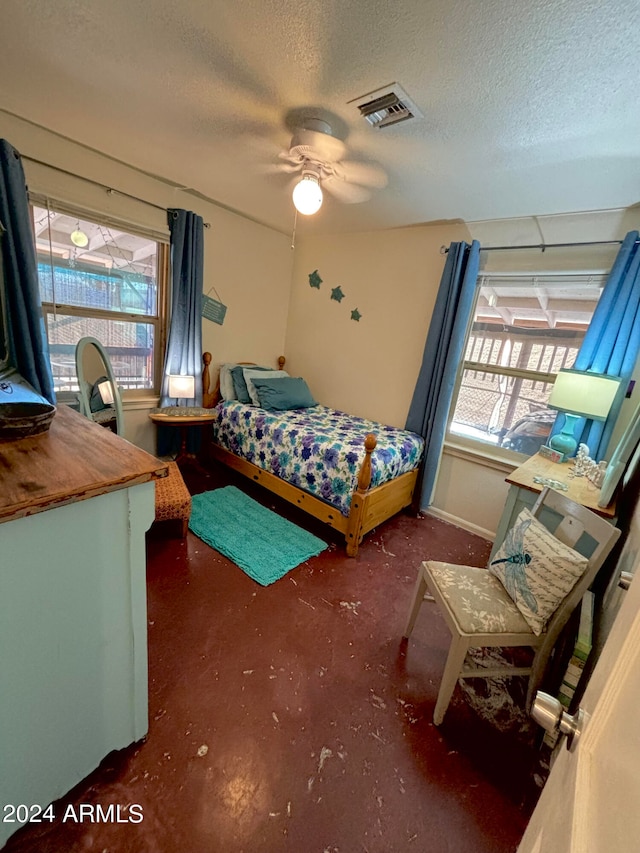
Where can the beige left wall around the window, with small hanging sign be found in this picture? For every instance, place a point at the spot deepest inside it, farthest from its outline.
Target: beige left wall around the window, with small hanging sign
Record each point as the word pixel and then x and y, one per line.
pixel 248 264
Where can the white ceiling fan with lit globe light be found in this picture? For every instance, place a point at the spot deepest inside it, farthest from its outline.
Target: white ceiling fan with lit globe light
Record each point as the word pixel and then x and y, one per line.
pixel 318 156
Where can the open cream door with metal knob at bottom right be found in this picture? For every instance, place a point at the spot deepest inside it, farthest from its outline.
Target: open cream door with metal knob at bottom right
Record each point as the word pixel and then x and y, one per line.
pixel 591 802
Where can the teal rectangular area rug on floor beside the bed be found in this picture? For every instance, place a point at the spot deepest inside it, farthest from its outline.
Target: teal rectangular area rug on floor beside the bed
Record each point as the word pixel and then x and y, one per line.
pixel 261 543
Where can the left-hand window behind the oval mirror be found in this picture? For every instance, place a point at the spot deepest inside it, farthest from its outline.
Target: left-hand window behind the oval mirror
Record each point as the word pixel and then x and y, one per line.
pixel 106 282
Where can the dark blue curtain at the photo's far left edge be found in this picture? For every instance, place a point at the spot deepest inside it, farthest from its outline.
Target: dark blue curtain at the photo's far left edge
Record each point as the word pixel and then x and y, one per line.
pixel 27 344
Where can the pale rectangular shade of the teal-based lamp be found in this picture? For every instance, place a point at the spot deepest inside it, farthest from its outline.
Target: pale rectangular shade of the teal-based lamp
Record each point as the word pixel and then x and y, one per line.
pixel 588 395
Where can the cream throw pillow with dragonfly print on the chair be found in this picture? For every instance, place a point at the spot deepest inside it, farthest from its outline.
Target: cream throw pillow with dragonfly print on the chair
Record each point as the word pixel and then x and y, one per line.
pixel 536 569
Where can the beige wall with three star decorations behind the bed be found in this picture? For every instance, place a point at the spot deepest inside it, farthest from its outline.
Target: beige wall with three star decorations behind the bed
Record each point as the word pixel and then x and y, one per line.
pixel 369 367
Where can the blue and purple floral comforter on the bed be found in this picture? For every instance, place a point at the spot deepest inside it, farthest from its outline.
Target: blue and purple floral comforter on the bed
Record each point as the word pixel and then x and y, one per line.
pixel 317 449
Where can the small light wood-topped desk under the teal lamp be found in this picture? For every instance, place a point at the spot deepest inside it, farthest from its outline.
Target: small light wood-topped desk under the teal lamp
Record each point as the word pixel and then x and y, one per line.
pixel 523 491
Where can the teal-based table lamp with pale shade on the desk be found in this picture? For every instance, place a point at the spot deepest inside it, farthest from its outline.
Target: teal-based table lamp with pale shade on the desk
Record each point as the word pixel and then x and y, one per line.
pixel 580 394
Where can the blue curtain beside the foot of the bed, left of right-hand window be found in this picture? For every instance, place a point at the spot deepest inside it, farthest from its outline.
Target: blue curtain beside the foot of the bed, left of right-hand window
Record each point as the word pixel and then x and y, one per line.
pixel 442 355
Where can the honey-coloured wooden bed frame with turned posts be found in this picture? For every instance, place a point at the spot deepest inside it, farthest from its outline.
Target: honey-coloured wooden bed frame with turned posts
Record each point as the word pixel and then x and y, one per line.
pixel 369 507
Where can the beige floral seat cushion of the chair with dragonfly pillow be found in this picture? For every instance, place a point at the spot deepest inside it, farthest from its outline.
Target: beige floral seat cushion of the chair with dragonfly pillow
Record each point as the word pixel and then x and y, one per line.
pixel 477 598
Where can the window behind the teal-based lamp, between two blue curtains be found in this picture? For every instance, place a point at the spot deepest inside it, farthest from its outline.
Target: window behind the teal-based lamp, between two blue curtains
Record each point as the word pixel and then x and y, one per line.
pixel 524 329
